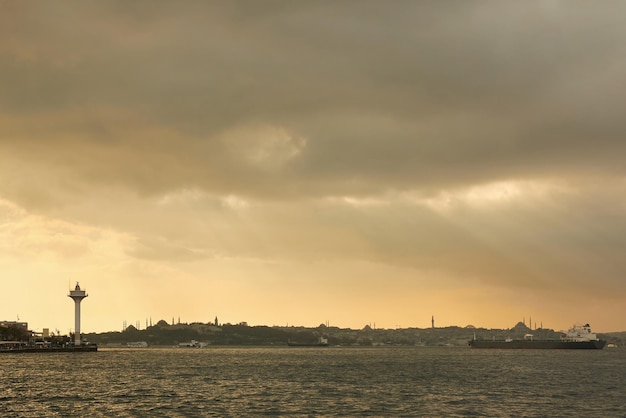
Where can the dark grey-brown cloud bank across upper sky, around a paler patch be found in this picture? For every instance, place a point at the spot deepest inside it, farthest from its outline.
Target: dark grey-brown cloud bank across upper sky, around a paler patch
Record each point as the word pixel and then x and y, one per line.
pixel 415 95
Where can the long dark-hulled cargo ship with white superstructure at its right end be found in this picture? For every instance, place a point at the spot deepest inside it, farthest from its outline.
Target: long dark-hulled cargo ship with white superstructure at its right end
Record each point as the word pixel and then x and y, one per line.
pixel 577 337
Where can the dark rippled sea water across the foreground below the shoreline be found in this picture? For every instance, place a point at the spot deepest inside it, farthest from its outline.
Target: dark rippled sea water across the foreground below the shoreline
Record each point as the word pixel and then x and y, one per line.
pixel 332 381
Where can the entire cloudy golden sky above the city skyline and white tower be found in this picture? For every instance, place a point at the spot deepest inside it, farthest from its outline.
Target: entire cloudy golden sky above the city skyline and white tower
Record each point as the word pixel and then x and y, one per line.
pixel 297 163
